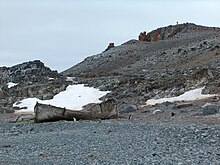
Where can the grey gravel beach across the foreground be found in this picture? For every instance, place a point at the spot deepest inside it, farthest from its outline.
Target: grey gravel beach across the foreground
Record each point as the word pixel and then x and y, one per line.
pixel 108 142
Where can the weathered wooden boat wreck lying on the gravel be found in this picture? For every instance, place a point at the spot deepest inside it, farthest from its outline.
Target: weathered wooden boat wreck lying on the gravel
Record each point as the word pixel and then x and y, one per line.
pixel 104 110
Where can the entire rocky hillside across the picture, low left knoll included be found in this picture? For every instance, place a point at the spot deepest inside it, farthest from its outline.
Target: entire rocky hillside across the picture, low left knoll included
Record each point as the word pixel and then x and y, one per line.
pixel 163 63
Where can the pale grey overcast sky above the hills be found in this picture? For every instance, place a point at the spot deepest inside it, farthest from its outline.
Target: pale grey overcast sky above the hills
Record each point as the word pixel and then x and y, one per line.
pixel 62 33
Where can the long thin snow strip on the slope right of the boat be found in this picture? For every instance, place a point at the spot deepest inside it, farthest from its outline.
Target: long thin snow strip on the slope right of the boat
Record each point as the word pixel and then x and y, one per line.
pixel 191 95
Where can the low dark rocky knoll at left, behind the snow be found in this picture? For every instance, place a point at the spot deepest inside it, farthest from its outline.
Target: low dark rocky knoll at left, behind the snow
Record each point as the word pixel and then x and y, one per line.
pixel 29 79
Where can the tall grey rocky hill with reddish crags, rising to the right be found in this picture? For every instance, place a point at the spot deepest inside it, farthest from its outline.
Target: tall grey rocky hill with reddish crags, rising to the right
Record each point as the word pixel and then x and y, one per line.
pixel 166 63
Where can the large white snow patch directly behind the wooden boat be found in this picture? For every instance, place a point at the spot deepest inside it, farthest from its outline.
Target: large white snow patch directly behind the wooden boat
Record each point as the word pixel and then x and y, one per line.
pixel 73 98
